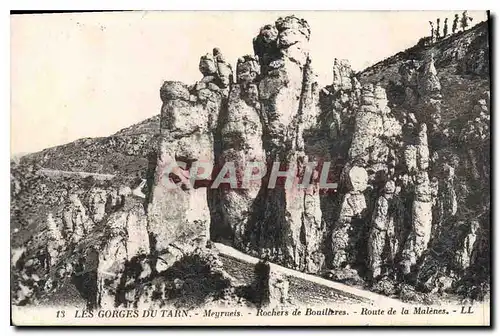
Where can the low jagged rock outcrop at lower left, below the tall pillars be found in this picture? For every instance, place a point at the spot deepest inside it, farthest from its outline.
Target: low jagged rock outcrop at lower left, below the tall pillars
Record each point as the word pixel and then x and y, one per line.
pixel 89 242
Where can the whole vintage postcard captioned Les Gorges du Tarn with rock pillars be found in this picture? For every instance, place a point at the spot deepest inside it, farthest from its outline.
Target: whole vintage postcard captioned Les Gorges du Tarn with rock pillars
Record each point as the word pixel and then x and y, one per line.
pixel 250 168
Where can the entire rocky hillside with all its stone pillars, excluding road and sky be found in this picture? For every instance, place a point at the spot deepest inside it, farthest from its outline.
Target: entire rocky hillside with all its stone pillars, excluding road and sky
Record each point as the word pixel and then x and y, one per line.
pixel 380 178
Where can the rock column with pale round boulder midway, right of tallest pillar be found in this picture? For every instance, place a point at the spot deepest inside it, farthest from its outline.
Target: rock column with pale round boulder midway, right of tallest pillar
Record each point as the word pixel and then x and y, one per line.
pixel 371 160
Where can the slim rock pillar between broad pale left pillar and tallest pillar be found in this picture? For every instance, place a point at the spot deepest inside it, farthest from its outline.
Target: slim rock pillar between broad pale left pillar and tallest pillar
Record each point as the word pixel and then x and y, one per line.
pixel 241 142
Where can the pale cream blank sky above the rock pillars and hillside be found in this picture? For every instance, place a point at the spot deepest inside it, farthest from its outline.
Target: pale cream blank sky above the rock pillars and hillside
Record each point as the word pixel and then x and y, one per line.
pixel 92 74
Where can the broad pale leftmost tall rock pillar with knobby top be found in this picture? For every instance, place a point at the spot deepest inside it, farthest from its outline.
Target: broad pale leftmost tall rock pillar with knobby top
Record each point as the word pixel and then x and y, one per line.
pixel 187 126
